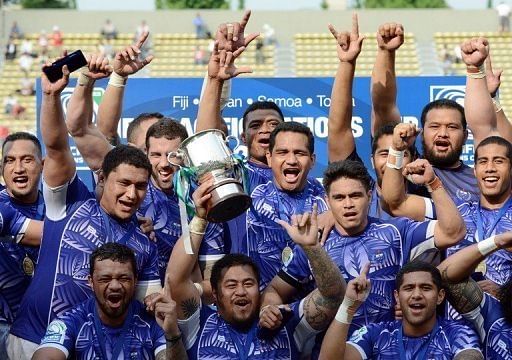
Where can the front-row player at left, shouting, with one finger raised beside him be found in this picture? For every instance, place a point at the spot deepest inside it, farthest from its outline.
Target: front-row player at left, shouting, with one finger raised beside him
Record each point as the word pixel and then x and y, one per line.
pixel 113 317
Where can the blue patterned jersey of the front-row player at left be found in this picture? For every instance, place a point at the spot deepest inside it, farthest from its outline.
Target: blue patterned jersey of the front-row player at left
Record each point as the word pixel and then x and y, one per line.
pixel 74 333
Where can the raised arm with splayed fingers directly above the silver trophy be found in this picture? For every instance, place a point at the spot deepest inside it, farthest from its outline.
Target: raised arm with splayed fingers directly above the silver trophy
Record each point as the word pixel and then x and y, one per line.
pixel 230 42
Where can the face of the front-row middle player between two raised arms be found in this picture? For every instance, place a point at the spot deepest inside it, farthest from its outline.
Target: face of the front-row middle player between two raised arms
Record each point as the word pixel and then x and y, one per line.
pixel 238 296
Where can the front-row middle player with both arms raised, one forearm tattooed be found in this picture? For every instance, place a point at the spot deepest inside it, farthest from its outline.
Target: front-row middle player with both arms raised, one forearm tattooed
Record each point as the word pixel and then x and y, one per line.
pixel 235 286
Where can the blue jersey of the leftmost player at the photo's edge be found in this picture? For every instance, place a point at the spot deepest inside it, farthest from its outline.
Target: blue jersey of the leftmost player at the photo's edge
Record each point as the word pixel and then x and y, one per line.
pixel 17 261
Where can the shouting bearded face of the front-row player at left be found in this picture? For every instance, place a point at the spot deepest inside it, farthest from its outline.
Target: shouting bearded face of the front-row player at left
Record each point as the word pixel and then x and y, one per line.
pixel 113 284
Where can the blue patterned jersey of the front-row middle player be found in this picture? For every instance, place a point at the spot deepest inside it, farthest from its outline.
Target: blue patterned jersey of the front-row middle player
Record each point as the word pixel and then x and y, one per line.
pixel 207 336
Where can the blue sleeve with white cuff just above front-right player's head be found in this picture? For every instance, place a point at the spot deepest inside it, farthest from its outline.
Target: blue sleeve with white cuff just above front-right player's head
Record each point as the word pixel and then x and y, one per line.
pixel 417 237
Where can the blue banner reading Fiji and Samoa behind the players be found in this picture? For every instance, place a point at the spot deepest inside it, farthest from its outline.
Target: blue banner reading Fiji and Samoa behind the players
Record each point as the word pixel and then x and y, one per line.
pixel 304 100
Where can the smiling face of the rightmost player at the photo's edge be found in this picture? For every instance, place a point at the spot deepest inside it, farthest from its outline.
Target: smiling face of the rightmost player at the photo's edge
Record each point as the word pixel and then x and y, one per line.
pixel 493 173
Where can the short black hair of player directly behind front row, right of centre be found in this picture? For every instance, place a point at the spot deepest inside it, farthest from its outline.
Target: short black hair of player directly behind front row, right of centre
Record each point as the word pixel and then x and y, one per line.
pixel 346 169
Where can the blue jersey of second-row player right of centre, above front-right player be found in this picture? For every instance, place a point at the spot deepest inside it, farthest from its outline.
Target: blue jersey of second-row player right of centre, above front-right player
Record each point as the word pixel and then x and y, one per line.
pixel 387 245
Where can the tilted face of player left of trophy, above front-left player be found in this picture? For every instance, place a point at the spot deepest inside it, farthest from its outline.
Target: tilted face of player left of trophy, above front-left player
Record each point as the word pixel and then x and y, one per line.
pixel 124 190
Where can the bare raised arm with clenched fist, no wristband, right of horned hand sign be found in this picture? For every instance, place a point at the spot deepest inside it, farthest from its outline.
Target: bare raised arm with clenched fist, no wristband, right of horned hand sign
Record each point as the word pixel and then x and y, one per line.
pixel 390 37
